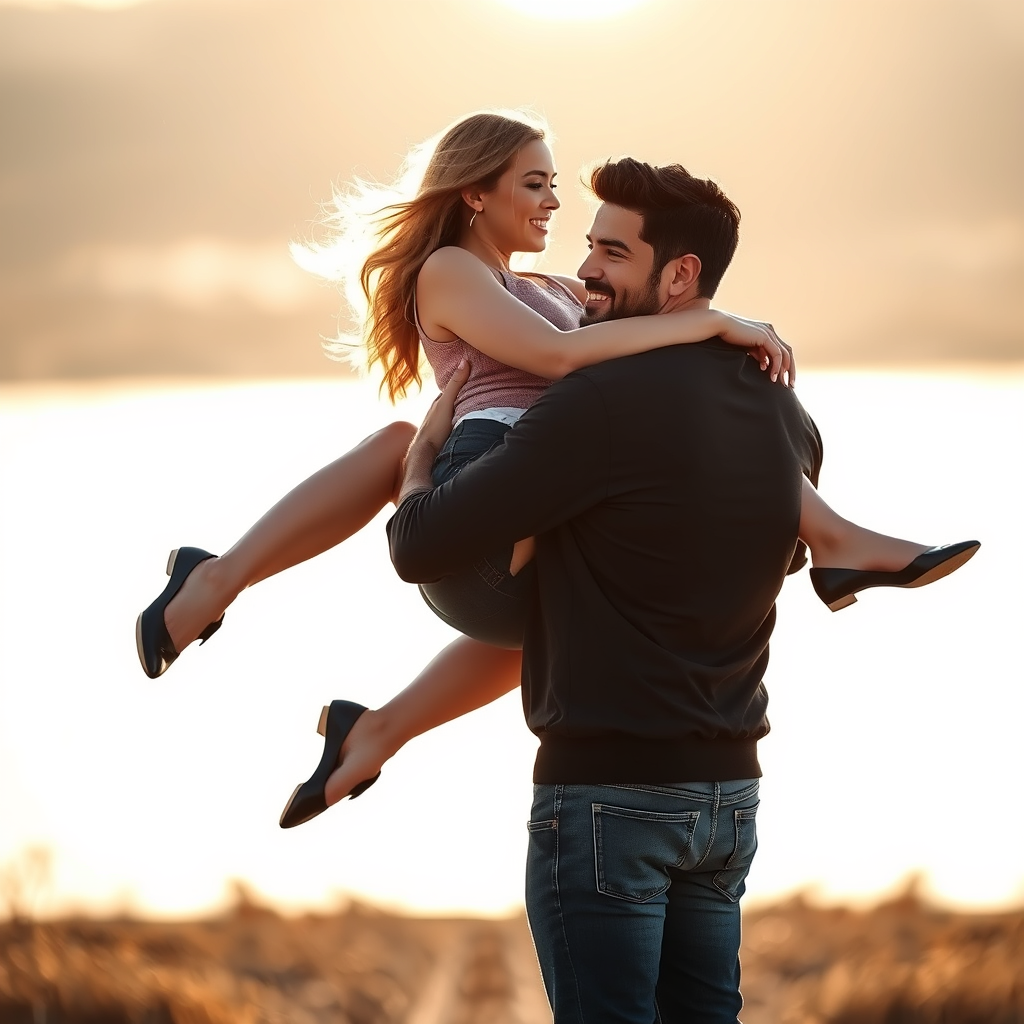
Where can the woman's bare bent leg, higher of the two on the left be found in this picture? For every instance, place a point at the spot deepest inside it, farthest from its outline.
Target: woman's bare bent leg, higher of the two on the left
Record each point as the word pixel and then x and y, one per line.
pixel 323 511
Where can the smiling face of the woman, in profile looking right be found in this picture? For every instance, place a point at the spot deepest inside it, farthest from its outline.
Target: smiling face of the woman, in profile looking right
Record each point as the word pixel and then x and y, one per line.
pixel 516 216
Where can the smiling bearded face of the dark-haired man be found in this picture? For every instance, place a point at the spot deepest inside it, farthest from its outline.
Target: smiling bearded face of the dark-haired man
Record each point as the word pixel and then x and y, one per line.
pixel 620 271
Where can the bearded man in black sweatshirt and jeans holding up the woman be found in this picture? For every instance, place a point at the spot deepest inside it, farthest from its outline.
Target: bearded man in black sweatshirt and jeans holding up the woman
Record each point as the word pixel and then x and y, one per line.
pixel 664 491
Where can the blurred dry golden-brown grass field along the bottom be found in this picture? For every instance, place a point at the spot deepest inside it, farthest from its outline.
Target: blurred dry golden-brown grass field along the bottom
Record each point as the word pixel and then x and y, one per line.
pixel 902 963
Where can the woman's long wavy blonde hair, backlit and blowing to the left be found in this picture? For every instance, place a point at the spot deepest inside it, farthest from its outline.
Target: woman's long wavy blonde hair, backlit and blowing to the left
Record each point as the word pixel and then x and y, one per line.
pixel 403 232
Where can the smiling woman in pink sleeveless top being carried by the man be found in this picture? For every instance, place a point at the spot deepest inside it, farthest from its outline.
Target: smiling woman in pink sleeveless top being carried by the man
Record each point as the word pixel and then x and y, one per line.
pixel 441 279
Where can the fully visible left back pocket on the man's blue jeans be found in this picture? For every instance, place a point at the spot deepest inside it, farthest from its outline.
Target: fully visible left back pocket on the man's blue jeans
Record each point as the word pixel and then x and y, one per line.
pixel 634 849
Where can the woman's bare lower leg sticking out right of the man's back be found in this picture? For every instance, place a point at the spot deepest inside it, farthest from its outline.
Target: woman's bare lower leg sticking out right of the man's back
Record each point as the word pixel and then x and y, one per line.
pixel 837 543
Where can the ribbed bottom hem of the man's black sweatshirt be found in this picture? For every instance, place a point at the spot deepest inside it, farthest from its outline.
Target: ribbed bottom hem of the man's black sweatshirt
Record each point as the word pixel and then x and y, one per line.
pixel 622 760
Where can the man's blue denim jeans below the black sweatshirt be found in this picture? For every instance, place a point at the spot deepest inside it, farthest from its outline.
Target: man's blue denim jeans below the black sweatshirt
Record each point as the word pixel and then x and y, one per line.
pixel 633 897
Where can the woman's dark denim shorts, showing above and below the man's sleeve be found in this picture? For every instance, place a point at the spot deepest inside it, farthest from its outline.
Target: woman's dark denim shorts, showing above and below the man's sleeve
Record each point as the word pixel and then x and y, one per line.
pixel 485 603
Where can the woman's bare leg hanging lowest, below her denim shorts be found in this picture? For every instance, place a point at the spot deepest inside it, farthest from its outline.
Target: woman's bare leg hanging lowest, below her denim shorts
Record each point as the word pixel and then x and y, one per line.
pixel 466 675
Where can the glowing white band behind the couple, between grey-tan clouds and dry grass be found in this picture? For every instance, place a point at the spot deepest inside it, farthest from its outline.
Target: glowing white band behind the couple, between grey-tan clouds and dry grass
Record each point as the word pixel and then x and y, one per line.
pixel 890 719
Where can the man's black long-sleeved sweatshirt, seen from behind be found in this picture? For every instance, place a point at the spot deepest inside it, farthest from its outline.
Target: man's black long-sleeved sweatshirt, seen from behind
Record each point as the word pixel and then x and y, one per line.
pixel 664 491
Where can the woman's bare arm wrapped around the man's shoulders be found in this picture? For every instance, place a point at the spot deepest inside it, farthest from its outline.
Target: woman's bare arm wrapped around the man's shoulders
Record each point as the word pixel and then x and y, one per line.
pixel 458 293
